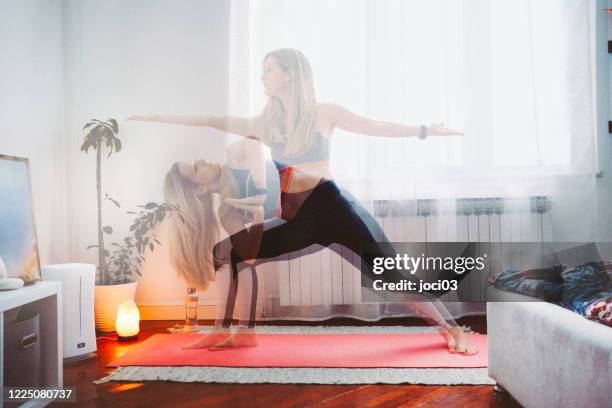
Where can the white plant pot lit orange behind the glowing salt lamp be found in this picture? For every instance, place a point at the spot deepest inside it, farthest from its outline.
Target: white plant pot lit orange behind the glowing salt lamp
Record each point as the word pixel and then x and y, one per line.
pixel 107 300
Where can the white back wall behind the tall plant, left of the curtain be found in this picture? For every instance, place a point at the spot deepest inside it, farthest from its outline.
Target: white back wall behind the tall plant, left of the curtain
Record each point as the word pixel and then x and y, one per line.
pixel 122 58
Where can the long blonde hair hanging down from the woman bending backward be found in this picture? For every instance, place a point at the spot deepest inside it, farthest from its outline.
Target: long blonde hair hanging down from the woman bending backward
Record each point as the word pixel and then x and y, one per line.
pixel 194 231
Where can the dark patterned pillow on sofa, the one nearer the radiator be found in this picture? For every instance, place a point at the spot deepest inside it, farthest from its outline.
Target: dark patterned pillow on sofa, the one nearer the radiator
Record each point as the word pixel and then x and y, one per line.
pixel 543 283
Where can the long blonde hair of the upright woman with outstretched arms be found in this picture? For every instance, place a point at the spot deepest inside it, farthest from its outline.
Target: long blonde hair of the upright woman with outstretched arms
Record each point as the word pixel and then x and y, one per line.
pixel 299 136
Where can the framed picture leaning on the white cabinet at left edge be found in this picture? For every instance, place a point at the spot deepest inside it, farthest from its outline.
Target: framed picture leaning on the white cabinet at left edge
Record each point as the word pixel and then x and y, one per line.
pixel 18 244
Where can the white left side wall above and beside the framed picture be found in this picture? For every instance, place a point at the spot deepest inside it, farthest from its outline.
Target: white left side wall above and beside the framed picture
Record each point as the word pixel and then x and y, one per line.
pixel 31 121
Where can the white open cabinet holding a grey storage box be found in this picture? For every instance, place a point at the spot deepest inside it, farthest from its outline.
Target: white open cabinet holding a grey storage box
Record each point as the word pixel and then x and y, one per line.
pixel 44 297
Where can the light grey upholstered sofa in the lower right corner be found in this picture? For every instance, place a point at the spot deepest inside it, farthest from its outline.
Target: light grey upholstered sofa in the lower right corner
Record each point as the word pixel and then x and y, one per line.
pixel 545 355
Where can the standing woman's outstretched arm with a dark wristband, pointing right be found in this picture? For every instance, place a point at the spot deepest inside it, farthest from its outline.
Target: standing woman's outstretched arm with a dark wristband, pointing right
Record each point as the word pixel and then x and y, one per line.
pixel 341 117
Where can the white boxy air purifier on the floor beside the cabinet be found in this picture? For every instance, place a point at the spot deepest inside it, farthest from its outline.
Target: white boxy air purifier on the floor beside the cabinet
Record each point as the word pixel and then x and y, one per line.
pixel 79 334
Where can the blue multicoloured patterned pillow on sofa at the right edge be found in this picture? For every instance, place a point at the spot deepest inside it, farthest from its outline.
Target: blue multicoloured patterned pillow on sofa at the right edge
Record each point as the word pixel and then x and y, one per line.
pixel 588 291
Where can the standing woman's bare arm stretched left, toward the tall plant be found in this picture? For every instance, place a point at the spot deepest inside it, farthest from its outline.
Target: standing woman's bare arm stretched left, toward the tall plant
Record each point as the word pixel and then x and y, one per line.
pixel 243 126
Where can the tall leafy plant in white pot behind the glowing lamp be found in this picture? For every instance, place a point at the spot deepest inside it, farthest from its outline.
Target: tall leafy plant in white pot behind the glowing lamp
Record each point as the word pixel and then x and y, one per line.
pixel 116 277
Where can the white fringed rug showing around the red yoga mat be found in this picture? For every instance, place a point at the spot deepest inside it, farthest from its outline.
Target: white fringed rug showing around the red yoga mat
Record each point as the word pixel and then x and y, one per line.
pixel 250 375
